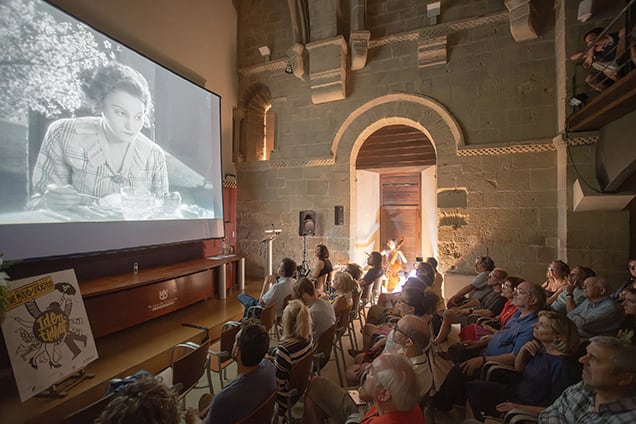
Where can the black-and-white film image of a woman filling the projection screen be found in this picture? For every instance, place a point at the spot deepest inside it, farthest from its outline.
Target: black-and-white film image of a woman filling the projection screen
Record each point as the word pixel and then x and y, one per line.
pixel 93 131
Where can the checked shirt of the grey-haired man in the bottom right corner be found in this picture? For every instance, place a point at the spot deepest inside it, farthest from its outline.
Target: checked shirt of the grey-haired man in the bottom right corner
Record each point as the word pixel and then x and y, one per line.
pixel 576 406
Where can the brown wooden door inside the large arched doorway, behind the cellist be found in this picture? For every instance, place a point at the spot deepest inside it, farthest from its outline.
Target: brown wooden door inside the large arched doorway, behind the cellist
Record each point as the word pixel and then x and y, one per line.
pixel 400 212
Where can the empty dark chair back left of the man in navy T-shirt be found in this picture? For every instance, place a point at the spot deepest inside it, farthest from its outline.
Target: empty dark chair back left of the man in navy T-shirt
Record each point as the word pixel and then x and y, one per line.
pixel 190 367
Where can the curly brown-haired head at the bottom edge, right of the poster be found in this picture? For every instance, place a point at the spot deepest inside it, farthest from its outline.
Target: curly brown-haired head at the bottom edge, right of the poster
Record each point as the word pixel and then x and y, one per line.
pixel 145 401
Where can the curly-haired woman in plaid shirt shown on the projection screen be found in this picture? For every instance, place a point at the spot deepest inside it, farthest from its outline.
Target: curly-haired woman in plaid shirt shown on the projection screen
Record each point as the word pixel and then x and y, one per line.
pixel 87 158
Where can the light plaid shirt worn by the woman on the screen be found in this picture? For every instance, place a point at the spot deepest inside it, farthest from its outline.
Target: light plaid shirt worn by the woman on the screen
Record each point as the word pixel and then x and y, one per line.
pixel 73 153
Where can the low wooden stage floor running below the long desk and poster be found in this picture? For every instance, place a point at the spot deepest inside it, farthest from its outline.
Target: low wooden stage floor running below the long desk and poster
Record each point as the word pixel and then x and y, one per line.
pixel 144 346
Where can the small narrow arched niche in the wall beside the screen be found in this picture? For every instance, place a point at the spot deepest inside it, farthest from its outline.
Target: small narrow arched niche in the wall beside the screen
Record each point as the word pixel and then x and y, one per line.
pixel 254 121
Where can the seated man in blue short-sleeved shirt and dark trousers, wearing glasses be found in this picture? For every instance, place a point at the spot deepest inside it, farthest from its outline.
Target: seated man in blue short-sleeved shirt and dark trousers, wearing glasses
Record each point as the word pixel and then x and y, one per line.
pixel 501 347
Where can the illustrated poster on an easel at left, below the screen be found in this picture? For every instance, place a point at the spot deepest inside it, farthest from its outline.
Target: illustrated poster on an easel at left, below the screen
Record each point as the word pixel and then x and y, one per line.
pixel 47 332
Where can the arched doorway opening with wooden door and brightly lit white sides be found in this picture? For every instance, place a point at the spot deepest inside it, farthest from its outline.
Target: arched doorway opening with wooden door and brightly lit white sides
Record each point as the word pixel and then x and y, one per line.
pixel 395 170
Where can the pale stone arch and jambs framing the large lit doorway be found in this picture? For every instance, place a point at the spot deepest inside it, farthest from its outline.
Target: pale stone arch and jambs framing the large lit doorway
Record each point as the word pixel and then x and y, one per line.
pixel 419 112
